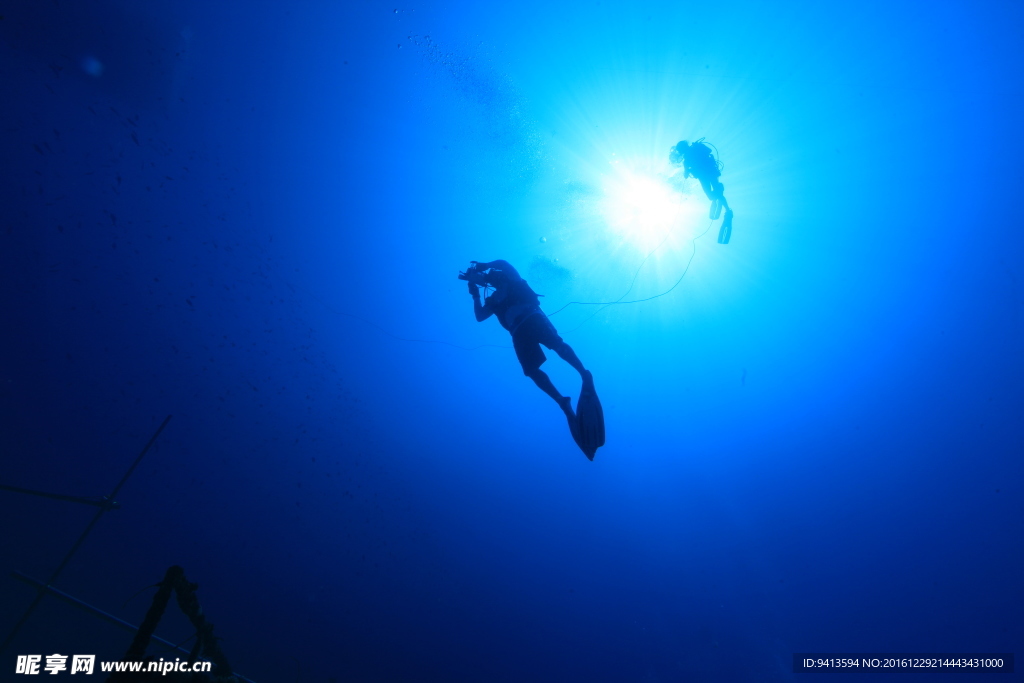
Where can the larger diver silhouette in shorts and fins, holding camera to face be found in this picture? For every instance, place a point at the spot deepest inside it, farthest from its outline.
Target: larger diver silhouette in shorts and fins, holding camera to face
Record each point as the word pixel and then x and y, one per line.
pixel 519 310
